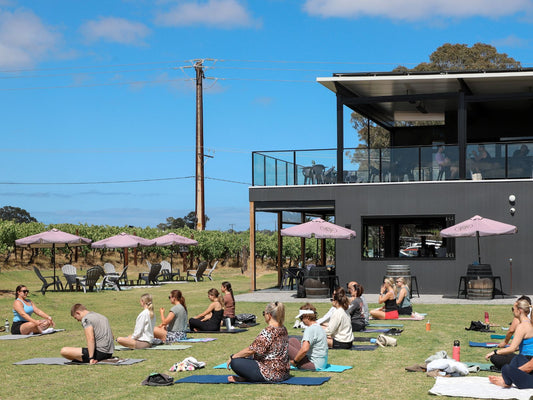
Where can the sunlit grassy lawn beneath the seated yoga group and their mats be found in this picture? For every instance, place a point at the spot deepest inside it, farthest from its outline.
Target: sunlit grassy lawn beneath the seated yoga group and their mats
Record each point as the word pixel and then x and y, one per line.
pixel 376 374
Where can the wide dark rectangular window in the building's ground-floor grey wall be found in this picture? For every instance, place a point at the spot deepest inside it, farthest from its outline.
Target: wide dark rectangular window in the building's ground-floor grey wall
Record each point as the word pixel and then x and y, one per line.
pixel 407 237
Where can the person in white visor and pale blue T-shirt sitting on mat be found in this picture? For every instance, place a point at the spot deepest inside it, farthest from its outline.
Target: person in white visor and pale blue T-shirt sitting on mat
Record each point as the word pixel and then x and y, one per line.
pixel 312 352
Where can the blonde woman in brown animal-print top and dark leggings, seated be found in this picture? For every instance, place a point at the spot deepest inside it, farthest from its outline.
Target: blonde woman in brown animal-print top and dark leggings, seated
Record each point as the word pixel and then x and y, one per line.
pixel 267 358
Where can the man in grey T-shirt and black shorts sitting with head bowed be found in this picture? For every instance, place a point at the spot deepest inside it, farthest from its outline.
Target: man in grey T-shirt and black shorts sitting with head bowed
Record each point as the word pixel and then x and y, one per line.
pixel 98 334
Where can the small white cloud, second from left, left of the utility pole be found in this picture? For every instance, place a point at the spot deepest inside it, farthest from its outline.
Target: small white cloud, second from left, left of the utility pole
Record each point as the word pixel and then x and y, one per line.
pixel 115 30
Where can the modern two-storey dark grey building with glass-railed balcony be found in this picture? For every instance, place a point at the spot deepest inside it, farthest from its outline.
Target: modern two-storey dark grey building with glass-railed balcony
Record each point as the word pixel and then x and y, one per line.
pixel 458 145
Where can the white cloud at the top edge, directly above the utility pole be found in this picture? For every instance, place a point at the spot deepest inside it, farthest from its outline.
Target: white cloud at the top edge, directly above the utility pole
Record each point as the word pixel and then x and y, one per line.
pixel 215 13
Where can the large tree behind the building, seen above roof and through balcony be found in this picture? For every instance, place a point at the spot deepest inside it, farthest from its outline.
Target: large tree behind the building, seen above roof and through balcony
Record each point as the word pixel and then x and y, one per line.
pixel 448 57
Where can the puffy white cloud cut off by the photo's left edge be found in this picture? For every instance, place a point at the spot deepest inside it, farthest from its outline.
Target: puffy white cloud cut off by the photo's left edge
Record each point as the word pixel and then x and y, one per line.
pixel 25 39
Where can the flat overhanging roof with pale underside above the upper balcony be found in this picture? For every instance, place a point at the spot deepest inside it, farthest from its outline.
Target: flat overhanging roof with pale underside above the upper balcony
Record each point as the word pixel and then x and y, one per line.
pixel 389 97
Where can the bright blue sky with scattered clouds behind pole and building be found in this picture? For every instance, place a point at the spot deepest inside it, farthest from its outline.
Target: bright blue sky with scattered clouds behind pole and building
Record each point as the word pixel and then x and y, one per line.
pixel 98 91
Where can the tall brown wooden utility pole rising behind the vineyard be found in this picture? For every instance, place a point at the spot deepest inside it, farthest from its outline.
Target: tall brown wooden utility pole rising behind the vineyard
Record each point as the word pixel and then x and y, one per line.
pixel 200 199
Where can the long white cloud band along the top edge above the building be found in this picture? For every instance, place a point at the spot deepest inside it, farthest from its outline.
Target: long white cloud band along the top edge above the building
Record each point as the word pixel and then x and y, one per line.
pixel 416 9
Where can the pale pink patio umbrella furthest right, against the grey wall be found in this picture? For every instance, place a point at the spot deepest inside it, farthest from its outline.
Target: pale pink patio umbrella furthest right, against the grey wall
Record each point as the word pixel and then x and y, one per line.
pixel 478 226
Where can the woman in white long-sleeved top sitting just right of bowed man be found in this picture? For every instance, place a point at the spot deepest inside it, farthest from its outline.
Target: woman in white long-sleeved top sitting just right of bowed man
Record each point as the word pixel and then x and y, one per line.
pixel 143 334
